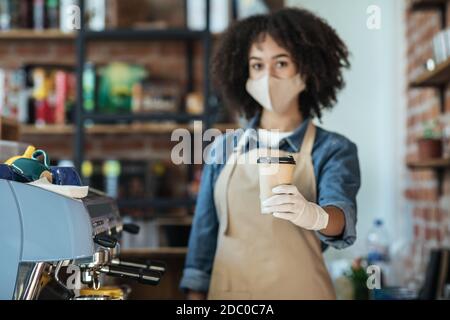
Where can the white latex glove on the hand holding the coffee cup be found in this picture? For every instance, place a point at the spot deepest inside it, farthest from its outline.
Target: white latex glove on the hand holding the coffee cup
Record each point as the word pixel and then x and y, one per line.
pixel 289 204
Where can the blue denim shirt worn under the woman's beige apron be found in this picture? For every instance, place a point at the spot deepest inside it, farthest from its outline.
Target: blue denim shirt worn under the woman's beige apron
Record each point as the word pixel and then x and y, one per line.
pixel 336 167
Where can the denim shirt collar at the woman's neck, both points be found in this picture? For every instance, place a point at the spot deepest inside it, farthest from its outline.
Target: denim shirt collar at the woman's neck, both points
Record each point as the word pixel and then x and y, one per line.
pixel 293 141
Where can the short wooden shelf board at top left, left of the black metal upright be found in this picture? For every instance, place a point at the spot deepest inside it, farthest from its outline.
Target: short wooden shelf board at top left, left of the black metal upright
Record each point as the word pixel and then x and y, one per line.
pixel 29 34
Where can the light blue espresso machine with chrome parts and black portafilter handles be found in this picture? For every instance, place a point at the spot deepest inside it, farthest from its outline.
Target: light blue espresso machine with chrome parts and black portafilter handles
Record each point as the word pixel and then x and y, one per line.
pixel 54 247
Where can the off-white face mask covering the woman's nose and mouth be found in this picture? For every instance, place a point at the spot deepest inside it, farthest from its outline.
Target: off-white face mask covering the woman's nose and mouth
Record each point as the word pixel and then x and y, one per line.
pixel 275 94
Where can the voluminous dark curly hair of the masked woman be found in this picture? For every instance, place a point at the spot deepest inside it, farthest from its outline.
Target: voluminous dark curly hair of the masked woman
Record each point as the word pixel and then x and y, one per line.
pixel 317 50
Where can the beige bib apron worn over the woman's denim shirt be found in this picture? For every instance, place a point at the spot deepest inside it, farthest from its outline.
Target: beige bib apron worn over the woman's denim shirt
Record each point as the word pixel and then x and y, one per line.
pixel 259 256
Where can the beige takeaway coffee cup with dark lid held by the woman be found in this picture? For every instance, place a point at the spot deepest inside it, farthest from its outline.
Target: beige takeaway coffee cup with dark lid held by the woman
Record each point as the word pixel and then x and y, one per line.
pixel 274 171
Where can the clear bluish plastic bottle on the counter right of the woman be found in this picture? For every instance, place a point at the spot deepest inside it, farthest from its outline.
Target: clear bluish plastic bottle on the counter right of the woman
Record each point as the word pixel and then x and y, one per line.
pixel 378 244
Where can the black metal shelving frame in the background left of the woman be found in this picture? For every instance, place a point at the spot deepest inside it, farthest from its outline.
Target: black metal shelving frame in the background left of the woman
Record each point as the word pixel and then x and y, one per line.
pixel 84 37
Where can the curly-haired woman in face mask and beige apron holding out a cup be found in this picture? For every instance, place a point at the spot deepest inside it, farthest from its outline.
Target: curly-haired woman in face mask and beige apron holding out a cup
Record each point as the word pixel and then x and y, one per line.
pixel 281 70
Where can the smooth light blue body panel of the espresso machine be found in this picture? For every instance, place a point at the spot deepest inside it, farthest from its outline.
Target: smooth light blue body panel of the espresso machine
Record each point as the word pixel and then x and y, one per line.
pixel 37 225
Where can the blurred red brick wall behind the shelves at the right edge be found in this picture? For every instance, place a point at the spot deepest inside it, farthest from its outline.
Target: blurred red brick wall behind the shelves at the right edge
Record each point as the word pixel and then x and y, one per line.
pixel 427 208
